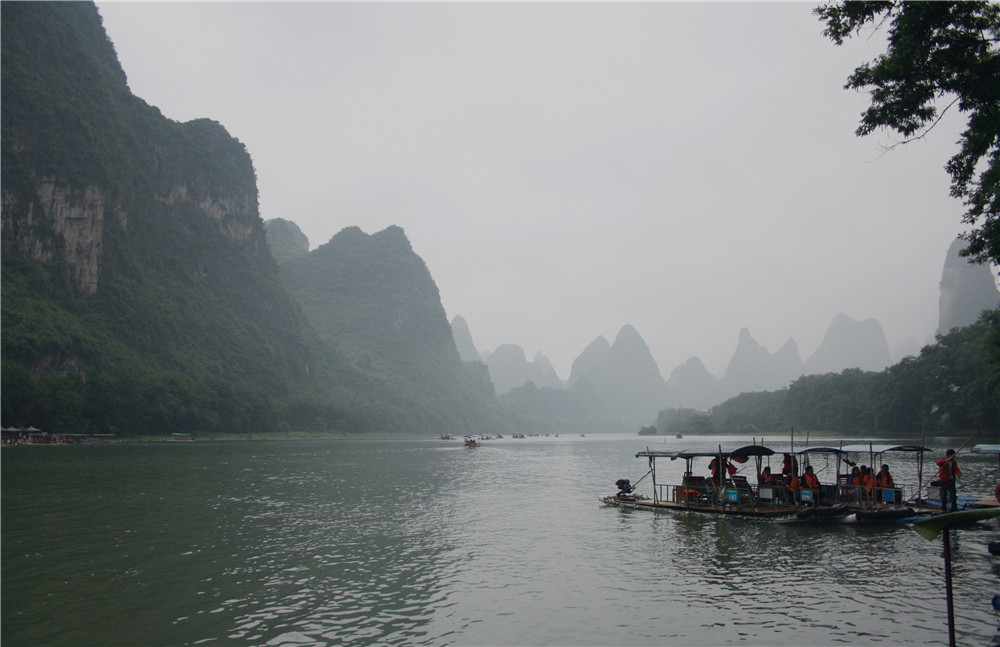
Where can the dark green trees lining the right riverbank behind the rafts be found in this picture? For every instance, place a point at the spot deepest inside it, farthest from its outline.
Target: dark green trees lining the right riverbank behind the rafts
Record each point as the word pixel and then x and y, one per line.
pixel 952 386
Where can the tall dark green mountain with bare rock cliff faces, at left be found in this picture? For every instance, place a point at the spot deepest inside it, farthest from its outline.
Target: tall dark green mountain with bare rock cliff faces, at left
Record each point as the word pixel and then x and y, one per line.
pixel 139 295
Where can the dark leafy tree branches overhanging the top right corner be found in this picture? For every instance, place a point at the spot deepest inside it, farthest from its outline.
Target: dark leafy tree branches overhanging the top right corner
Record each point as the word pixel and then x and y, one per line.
pixel 939 55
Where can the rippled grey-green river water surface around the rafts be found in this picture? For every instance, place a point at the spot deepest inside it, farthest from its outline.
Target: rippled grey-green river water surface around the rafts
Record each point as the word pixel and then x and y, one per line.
pixel 360 542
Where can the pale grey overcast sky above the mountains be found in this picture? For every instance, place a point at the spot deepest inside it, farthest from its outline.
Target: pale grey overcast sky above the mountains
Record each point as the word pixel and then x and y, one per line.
pixel 566 169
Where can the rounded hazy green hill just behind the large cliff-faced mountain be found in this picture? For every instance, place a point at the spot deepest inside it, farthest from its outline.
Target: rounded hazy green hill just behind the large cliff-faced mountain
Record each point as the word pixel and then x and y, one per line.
pixel 372 300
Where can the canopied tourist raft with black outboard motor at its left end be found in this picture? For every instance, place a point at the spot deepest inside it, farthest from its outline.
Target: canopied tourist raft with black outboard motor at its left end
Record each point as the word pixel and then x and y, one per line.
pixel 735 495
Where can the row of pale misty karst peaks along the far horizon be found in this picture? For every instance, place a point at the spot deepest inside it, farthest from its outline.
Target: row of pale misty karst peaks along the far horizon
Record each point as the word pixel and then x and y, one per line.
pixel 626 380
